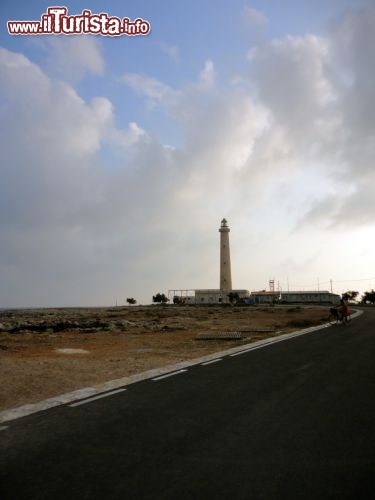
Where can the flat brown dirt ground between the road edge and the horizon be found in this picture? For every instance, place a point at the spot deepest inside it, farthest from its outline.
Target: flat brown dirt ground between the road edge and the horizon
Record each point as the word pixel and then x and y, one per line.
pixel 47 352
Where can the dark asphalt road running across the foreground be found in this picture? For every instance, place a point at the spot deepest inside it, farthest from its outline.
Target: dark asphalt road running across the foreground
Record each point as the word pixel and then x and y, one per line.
pixel 292 420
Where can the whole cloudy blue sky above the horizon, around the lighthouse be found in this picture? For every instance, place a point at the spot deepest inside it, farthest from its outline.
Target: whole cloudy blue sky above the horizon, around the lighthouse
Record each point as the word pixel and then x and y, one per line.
pixel 121 155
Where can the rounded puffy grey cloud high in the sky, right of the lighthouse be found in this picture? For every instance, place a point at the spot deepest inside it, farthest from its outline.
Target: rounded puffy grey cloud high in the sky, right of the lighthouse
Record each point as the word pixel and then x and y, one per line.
pixel 290 75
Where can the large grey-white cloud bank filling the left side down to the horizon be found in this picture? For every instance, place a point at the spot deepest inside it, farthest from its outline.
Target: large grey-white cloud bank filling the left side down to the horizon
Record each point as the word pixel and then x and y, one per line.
pixel 56 198
